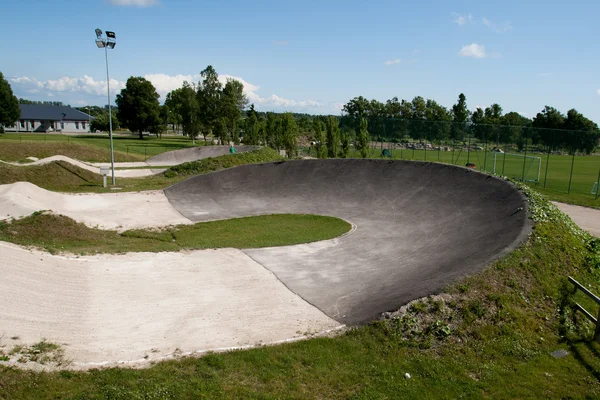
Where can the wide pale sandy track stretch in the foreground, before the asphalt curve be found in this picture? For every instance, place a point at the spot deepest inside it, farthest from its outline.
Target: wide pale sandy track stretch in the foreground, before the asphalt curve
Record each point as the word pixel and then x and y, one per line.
pixel 137 307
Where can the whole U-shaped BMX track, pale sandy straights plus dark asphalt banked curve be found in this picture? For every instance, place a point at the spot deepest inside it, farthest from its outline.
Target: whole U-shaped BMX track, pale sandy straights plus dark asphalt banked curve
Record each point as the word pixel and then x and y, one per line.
pixel 417 227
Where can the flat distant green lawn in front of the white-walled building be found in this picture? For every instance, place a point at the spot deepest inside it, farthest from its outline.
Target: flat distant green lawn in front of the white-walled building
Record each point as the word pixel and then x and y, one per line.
pixel 124 145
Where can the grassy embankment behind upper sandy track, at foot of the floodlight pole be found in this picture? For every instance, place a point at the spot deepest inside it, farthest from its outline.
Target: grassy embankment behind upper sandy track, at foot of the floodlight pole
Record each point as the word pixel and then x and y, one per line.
pixel 64 177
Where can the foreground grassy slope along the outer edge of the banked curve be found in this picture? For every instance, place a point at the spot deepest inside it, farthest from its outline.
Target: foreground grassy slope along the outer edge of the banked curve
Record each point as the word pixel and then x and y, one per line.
pixel 491 339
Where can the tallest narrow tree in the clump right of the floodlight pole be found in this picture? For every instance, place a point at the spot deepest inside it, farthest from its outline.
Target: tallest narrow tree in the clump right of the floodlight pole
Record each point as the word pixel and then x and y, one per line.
pixel 209 99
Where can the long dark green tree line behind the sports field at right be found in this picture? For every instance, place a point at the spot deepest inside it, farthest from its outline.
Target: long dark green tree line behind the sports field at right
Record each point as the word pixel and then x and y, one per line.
pixel 420 119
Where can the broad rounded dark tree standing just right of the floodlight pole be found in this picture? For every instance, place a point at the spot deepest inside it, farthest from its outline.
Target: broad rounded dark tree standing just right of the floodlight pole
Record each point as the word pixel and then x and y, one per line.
pixel 139 109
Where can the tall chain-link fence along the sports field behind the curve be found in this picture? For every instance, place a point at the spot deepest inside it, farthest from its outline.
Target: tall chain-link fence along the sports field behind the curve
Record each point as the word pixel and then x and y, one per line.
pixel 553 160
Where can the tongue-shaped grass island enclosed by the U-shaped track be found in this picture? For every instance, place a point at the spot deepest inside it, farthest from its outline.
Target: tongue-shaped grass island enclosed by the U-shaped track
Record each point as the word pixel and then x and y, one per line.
pixel 57 234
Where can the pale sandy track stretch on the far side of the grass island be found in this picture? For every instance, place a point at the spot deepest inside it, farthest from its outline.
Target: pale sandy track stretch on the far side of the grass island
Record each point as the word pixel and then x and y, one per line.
pixel 109 211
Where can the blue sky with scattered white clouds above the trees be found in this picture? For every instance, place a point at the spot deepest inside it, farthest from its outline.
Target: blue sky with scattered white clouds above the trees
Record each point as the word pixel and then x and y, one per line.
pixel 313 56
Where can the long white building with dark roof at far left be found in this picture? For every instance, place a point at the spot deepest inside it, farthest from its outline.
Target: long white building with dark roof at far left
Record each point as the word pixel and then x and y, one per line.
pixel 49 118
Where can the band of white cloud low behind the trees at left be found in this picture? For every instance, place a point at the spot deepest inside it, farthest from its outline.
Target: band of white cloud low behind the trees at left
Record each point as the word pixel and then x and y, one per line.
pixel 71 88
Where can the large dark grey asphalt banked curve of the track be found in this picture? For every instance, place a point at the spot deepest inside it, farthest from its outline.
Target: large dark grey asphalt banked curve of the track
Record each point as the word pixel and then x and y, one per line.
pixel 418 226
